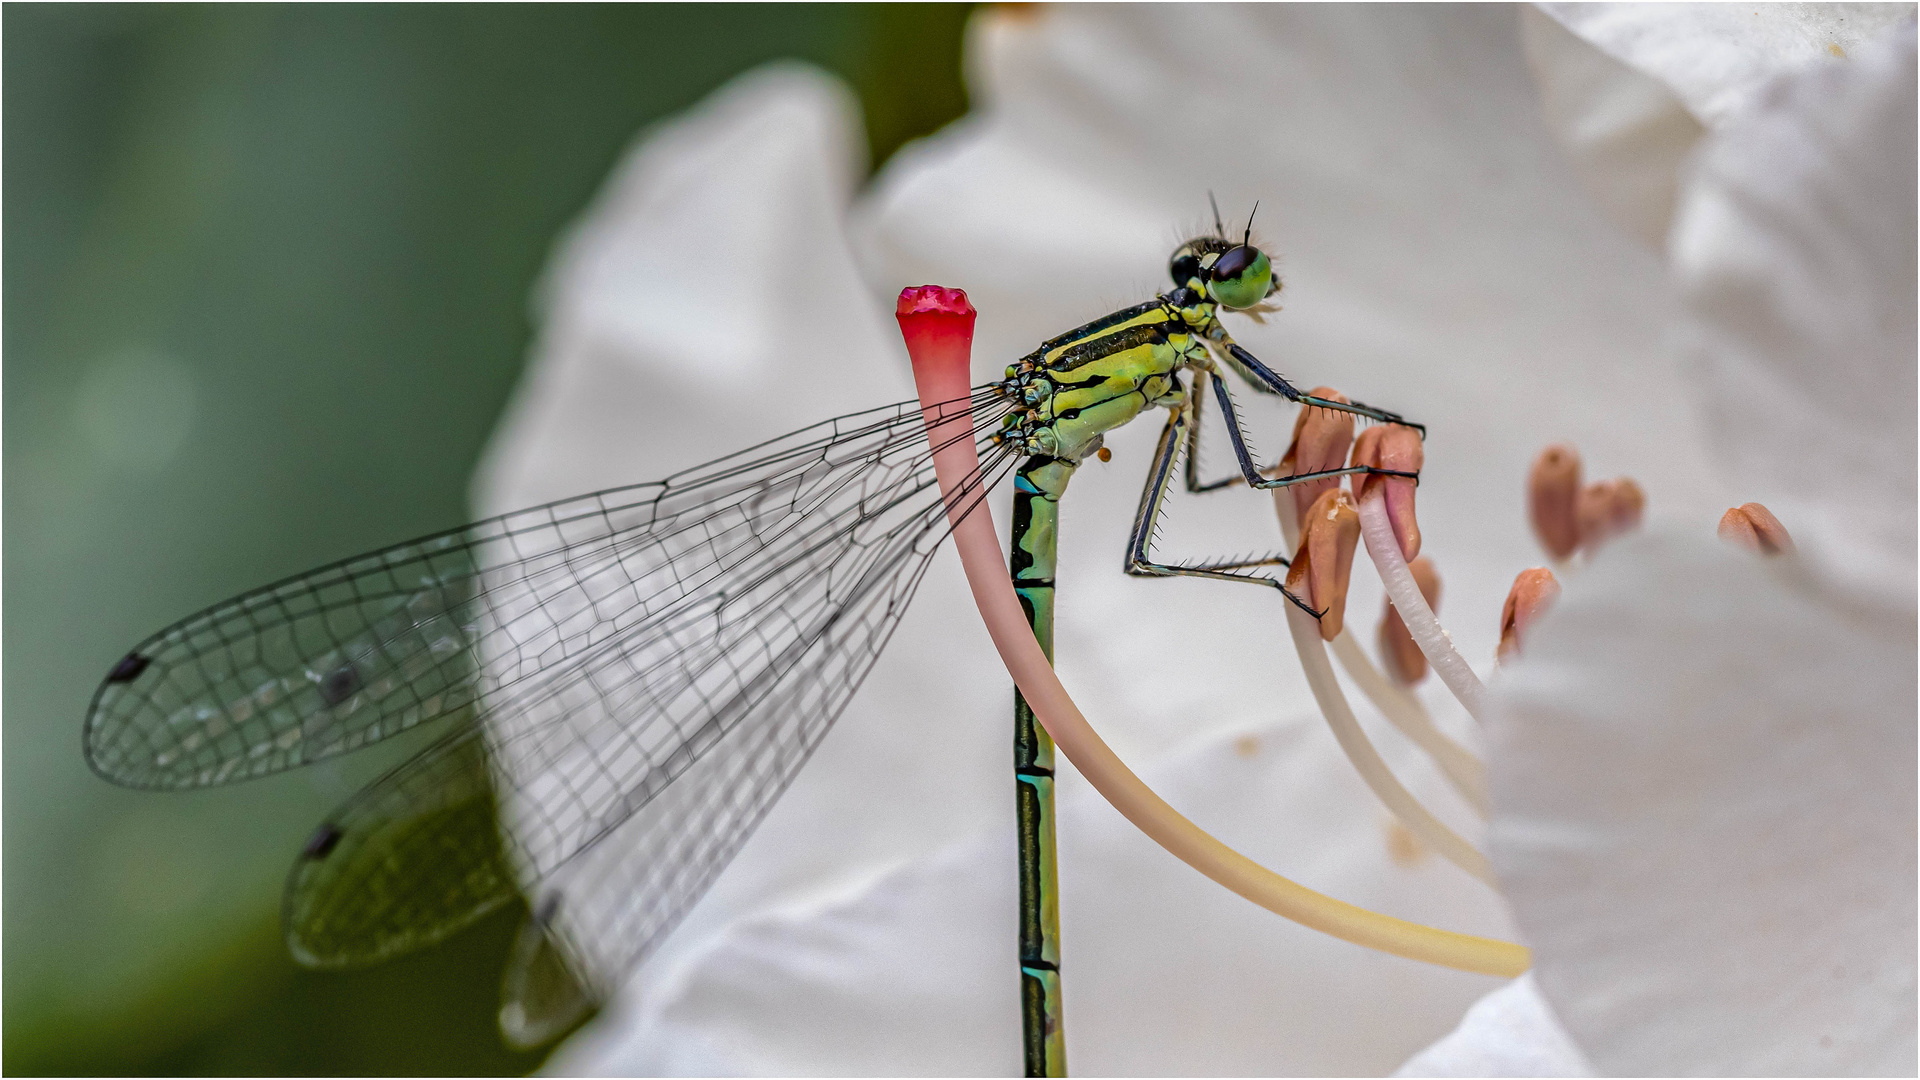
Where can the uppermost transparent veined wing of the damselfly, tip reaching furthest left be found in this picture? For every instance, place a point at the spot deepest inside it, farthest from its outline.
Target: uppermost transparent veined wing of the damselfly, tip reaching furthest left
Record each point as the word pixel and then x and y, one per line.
pixel 366 649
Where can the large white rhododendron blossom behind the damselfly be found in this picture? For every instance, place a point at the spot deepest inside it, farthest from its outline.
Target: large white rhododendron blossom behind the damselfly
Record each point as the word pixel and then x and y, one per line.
pixel 1681 247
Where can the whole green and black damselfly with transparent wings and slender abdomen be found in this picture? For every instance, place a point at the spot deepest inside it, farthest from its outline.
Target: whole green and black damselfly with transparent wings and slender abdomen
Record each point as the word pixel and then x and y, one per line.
pixel 631 679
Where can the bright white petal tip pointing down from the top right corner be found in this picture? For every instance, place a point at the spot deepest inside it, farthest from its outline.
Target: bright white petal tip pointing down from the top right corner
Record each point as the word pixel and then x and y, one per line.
pixel 1719 57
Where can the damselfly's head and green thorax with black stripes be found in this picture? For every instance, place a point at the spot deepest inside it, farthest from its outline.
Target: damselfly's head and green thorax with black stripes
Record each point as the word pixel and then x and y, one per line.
pixel 1090 381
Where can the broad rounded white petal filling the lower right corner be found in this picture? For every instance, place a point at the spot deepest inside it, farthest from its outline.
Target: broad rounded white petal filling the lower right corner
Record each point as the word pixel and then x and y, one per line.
pixel 1704 816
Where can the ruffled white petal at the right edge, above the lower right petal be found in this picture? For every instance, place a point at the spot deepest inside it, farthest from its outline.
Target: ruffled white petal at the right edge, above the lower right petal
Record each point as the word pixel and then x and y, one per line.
pixel 1796 257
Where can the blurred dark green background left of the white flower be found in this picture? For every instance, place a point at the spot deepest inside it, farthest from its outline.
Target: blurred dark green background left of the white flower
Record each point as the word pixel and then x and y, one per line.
pixel 268 282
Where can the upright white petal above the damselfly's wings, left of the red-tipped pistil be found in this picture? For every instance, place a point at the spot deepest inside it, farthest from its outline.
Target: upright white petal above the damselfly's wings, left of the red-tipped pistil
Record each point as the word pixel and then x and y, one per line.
pixel 706 301
